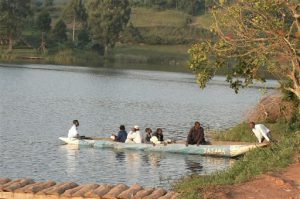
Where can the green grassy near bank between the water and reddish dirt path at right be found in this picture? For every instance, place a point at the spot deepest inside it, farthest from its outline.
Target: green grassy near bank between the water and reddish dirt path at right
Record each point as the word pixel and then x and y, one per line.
pixel 255 162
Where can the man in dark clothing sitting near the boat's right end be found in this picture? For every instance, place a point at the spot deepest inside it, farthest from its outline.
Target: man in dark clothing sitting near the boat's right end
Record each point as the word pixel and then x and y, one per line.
pixel 196 135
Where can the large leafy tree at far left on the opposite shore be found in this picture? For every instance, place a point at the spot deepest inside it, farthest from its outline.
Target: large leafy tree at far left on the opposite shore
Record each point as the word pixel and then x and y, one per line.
pixel 12 19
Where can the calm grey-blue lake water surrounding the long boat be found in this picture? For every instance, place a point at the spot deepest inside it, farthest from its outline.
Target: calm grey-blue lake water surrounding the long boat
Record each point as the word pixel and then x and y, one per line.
pixel 38 103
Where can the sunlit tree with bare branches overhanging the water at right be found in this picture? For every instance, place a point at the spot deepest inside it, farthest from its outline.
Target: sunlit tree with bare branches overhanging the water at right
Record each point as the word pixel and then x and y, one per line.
pixel 251 36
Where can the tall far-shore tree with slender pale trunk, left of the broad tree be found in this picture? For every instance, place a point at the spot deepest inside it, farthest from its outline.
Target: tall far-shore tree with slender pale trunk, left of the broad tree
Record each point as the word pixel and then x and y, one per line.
pixel 77 13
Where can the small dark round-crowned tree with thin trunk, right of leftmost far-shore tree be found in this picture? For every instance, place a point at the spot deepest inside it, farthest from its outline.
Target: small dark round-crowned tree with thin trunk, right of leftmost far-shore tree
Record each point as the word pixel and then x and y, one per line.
pixel 44 24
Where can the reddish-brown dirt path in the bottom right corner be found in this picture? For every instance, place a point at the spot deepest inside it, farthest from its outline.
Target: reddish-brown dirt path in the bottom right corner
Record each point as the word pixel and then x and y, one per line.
pixel 284 185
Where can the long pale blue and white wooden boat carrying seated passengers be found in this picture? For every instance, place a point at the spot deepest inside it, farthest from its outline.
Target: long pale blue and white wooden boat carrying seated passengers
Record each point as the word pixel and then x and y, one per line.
pixel 220 150
